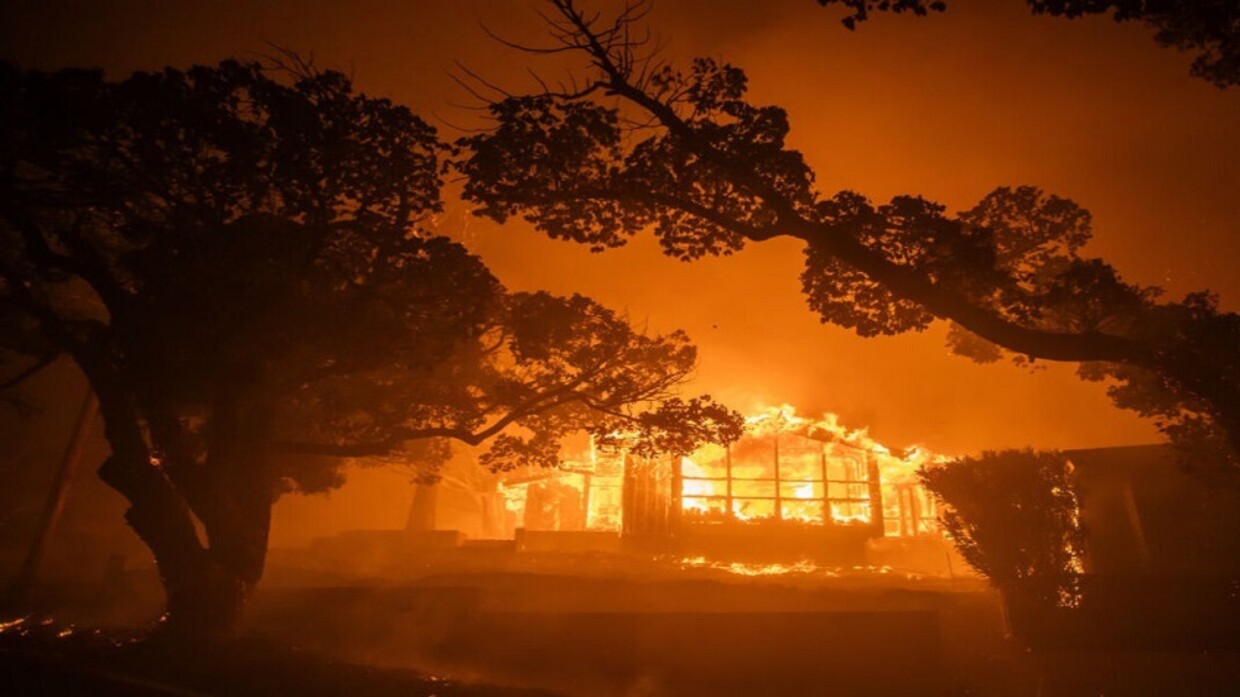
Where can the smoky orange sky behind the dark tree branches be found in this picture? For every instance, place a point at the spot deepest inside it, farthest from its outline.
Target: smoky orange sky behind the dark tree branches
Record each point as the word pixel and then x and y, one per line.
pixel 948 107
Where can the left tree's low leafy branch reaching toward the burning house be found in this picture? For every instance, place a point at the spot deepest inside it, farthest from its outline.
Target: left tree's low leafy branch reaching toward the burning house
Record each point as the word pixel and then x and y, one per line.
pixel 539 369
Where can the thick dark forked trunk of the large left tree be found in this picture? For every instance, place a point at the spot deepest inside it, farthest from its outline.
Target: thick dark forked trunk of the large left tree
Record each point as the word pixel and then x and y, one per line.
pixel 206 587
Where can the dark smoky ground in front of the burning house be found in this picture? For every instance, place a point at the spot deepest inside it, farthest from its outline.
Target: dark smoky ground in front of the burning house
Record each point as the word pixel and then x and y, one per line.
pixel 606 627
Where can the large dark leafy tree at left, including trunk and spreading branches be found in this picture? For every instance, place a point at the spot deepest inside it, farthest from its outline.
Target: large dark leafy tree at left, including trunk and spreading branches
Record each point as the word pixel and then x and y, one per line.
pixel 234 259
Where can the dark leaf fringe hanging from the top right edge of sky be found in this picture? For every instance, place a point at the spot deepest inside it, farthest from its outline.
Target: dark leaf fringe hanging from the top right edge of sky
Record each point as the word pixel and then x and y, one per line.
pixel 1210 28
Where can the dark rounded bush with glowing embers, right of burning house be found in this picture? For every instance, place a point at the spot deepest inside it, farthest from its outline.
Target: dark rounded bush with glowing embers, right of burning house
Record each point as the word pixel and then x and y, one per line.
pixel 1015 518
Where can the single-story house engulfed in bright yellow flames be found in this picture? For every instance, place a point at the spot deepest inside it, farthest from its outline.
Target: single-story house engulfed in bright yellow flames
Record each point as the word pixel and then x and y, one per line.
pixel 790 488
